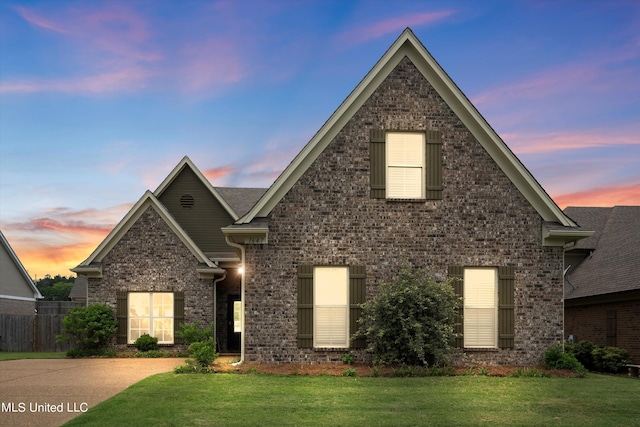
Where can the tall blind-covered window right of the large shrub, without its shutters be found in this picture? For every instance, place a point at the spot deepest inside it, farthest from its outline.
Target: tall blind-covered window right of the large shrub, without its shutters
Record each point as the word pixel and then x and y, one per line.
pixel 480 307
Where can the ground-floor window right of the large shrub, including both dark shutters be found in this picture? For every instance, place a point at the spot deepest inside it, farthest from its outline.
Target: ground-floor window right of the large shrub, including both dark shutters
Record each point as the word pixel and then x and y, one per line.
pixel 487 315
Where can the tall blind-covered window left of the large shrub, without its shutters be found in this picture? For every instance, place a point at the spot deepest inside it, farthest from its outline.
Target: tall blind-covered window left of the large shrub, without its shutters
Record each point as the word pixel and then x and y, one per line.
pixel 331 307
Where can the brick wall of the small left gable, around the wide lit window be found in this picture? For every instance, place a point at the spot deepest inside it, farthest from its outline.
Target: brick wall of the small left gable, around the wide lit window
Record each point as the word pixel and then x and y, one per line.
pixel 151 258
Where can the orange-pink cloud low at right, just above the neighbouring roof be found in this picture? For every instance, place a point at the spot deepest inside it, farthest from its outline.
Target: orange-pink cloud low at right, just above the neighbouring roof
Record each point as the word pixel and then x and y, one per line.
pixel 627 195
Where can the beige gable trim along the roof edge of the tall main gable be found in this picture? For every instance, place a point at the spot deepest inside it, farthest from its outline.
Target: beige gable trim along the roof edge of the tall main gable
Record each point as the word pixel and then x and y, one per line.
pixel 558 227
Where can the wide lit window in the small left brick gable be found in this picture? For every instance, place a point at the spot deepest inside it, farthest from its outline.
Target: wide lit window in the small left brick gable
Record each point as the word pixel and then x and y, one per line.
pixel 151 313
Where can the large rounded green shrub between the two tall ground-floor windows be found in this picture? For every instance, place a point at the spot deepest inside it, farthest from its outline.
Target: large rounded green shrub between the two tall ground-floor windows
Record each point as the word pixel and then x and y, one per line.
pixel 411 321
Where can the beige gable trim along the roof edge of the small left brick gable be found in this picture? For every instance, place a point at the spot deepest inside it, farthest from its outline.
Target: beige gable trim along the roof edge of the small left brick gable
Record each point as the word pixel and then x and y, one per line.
pixel 92 266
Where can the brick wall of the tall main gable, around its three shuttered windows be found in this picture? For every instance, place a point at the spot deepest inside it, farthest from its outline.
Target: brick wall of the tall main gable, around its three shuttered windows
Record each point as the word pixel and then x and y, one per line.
pixel 327 218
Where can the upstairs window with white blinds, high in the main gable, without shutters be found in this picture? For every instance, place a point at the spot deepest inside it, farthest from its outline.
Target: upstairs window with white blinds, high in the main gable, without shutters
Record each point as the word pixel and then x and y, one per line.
pixel 405 165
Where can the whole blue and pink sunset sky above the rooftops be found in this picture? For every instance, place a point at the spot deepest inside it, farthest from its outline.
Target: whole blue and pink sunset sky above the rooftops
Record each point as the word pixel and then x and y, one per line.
pixel 99 100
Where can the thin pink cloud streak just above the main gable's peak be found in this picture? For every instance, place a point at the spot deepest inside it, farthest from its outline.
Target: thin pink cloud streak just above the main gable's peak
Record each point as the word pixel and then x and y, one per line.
pixel 392 25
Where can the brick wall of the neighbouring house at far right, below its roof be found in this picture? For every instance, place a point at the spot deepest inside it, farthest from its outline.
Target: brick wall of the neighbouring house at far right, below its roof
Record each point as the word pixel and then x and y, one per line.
pixel 589 322
